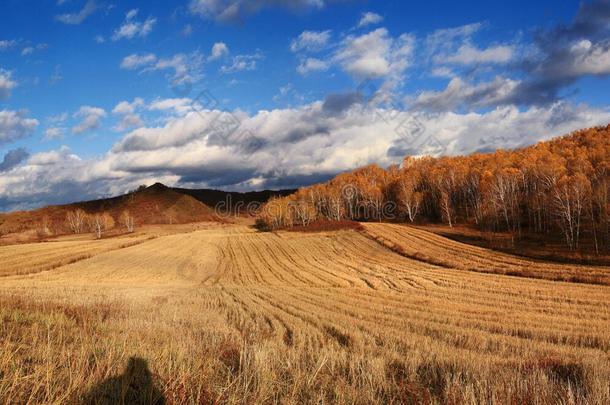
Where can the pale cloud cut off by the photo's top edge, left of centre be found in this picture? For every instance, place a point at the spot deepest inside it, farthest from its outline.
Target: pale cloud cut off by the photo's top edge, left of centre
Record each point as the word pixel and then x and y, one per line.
pixel 235 10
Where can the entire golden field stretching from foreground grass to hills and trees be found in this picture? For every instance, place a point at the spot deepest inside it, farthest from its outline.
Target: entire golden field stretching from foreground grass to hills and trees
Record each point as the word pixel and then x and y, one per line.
pixel 227 314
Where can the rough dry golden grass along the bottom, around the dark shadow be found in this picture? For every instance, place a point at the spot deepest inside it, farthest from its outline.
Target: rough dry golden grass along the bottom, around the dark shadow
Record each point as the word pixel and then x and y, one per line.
pixel 62 352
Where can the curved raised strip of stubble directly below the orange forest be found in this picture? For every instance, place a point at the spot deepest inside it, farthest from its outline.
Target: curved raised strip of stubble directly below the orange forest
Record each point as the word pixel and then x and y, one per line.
pixel 431 248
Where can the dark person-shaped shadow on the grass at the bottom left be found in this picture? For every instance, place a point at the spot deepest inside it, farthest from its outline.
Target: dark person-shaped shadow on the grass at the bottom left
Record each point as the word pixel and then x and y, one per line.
pixel 134 386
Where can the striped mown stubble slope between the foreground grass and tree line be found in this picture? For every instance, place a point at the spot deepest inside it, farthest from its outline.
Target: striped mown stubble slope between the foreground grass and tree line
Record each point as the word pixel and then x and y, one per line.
pixel 306 290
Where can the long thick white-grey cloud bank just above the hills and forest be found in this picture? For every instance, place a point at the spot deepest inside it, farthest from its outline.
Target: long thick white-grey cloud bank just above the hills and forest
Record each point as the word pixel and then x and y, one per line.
pixel 279 148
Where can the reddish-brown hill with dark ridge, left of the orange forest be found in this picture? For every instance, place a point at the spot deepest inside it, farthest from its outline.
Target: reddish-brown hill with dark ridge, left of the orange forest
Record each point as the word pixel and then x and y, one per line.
pixel 157 204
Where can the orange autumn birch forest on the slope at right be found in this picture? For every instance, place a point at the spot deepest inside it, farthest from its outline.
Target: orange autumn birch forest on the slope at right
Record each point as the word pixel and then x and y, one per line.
pixel 561 186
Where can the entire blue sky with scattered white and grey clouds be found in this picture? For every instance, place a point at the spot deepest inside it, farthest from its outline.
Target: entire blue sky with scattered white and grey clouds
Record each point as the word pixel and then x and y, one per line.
pixel 100 96
